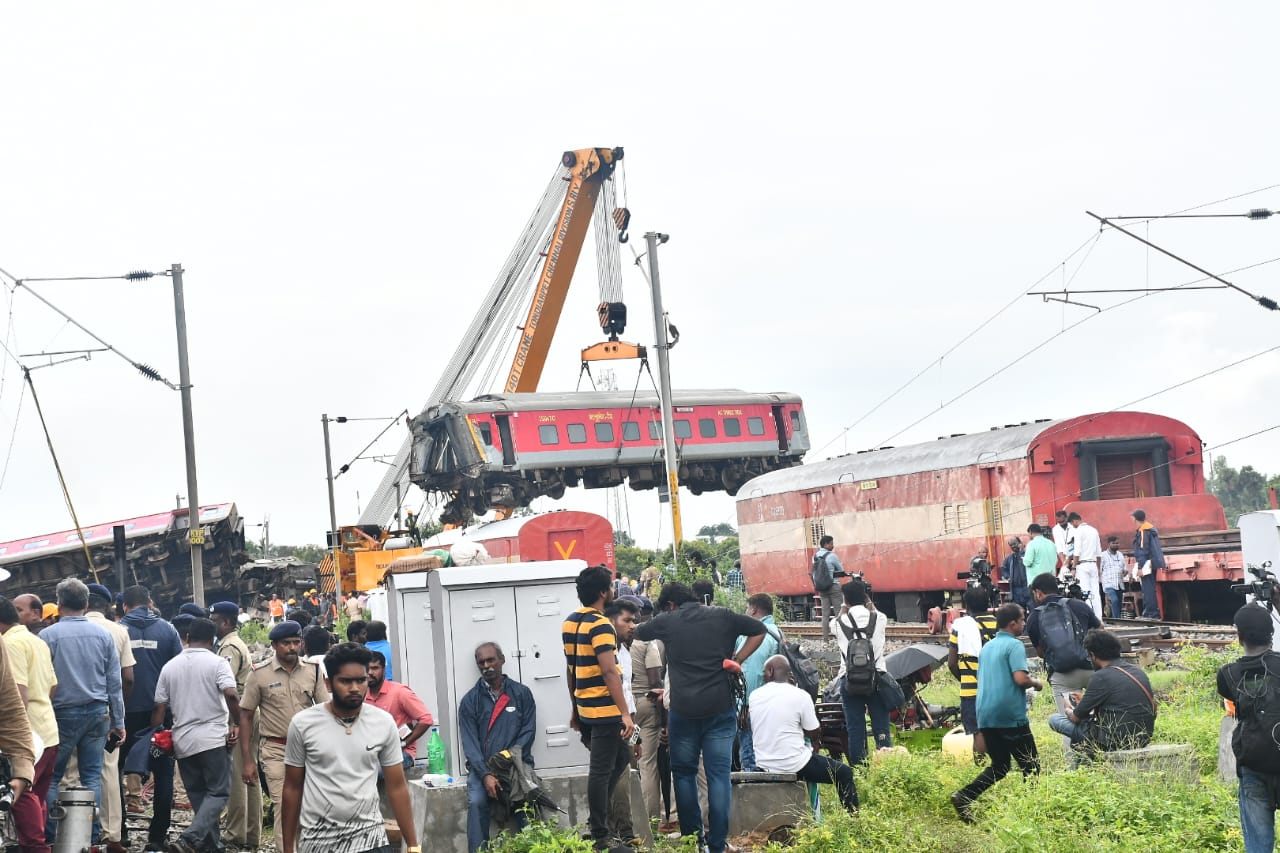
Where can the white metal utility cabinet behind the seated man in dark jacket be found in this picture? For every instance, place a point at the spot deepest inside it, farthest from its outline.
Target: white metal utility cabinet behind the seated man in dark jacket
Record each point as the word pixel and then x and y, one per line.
pixel 441 617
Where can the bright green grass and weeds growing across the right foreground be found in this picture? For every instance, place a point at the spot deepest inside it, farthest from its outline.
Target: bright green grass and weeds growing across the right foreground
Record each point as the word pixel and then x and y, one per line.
pixel 907 809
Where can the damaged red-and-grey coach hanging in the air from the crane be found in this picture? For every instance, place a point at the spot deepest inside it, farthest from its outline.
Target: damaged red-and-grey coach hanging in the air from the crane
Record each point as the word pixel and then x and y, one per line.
pixel 506 450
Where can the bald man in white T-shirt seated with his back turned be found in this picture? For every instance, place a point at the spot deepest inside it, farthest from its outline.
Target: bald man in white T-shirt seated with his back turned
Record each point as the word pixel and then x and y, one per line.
pixel 783 717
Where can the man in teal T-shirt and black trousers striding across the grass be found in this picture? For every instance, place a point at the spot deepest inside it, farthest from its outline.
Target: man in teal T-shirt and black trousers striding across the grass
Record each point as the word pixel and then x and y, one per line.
pixel 1003 682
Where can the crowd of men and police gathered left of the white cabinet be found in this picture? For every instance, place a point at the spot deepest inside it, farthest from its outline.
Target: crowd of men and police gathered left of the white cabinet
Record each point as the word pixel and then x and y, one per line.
pixel 99 691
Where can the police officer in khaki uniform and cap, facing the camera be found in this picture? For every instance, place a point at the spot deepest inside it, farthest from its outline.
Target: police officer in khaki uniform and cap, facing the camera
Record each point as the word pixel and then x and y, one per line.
pixel 280 690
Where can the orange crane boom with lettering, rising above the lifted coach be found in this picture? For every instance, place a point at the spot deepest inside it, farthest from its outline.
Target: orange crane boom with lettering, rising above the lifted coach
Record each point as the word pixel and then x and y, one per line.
pixel 588 168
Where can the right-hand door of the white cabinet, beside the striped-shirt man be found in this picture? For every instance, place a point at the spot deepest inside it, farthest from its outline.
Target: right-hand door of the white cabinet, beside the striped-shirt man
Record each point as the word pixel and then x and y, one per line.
pixel 540 613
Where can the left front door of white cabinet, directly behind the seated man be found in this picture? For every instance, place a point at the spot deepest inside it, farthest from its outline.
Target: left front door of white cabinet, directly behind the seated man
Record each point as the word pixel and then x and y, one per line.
pixel 478 617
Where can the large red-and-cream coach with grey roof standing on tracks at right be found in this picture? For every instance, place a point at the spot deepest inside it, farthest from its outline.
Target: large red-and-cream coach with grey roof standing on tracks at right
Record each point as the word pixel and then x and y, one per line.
pixel 912 518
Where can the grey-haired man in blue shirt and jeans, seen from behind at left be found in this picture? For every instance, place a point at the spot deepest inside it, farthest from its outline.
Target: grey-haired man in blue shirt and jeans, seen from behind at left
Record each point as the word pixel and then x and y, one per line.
pixel 89 703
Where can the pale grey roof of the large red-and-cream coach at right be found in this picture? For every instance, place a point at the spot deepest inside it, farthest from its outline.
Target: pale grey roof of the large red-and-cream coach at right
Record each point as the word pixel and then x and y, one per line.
pixel 959 451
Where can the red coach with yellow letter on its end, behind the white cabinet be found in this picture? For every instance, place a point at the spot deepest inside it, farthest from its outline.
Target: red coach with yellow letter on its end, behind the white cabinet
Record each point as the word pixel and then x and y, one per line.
pixel 565 535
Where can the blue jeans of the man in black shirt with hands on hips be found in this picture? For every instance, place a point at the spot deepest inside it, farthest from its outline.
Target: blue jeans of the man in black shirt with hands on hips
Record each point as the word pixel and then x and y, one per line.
pixel 712 738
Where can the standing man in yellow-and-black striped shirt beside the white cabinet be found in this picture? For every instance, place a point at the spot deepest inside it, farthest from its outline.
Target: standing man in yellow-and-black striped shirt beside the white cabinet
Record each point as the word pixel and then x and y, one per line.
pixel 597 692
